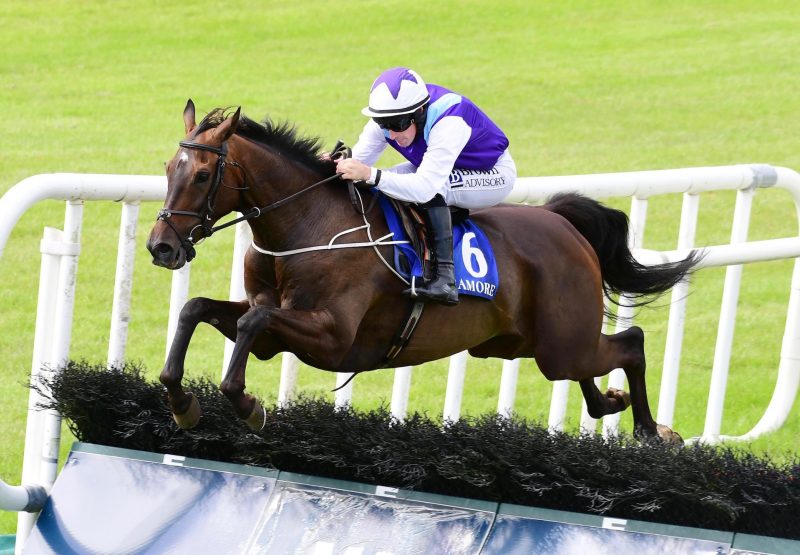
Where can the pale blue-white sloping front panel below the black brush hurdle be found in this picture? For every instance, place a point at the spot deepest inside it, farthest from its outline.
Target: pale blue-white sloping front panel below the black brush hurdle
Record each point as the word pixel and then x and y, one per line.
pixel 112 500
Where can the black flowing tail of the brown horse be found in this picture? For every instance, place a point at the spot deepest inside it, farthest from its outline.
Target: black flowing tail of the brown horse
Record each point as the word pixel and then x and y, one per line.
pixel 606 229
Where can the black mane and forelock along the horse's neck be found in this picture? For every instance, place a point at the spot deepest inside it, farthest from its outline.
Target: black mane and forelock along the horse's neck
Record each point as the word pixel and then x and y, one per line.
pixel 282 137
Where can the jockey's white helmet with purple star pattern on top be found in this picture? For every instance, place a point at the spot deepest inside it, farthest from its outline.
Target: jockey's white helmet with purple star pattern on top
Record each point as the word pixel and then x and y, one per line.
pixel 395 92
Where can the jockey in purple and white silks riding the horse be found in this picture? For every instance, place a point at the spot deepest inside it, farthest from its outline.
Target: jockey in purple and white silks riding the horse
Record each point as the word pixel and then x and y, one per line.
pixel 456 156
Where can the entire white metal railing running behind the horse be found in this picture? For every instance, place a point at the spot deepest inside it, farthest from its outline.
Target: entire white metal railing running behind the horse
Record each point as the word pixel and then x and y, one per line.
pixel 60 250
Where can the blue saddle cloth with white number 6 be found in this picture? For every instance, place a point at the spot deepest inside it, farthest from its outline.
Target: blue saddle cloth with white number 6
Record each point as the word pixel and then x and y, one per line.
pixel 475 265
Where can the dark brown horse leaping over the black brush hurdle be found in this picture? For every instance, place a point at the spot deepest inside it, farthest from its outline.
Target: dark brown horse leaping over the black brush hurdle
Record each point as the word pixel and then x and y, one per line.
pixel 338 309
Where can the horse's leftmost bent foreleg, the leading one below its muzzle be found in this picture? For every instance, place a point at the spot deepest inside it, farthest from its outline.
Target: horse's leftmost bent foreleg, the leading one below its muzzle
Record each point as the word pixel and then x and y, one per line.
pixel 222 315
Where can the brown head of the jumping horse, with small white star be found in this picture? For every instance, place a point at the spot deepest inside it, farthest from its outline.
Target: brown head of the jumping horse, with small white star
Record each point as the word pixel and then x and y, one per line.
pixel 195 196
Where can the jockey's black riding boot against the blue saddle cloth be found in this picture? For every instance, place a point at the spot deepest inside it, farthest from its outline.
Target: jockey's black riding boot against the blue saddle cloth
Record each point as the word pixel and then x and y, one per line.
pixel 442 287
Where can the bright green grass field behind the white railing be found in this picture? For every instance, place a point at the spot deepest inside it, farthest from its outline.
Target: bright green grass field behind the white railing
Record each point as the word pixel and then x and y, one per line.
pixel 580 87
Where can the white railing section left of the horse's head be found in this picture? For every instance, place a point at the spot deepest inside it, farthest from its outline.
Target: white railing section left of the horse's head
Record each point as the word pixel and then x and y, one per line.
pixel 60 251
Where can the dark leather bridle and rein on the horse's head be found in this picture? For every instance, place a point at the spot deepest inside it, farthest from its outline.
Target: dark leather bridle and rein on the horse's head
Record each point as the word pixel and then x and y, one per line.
pixel 205 217
